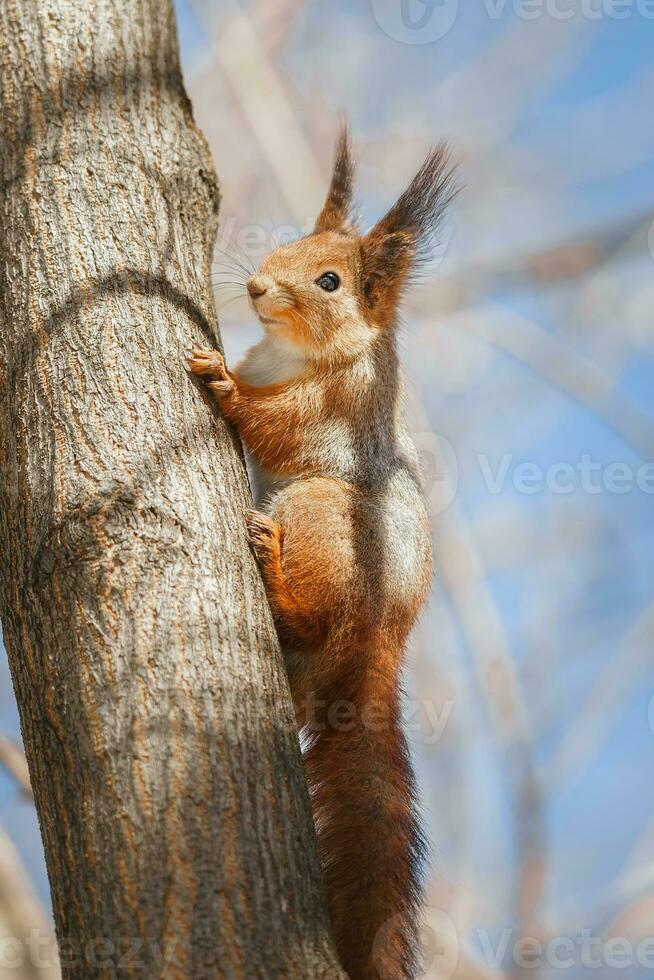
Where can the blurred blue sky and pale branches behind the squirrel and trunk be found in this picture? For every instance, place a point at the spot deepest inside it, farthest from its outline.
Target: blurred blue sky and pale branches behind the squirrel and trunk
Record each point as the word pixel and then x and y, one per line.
pixel 528 348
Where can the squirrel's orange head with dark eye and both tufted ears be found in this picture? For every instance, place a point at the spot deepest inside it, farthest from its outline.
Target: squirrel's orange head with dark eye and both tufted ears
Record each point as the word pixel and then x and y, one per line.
pixel 335 288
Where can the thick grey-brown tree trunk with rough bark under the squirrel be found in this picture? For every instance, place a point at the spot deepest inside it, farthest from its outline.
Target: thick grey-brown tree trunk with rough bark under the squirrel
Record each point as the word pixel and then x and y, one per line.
pixel 154 707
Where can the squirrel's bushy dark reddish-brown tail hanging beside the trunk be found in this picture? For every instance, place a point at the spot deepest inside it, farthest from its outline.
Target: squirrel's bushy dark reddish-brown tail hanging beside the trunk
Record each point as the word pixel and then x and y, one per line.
pixel 370 843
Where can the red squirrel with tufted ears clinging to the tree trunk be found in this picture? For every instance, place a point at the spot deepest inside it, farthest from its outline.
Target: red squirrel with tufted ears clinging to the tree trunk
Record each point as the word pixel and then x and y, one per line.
pixel 342 539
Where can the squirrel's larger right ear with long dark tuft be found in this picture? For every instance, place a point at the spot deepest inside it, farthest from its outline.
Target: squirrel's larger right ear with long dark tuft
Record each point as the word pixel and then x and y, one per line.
pixel 402 237
